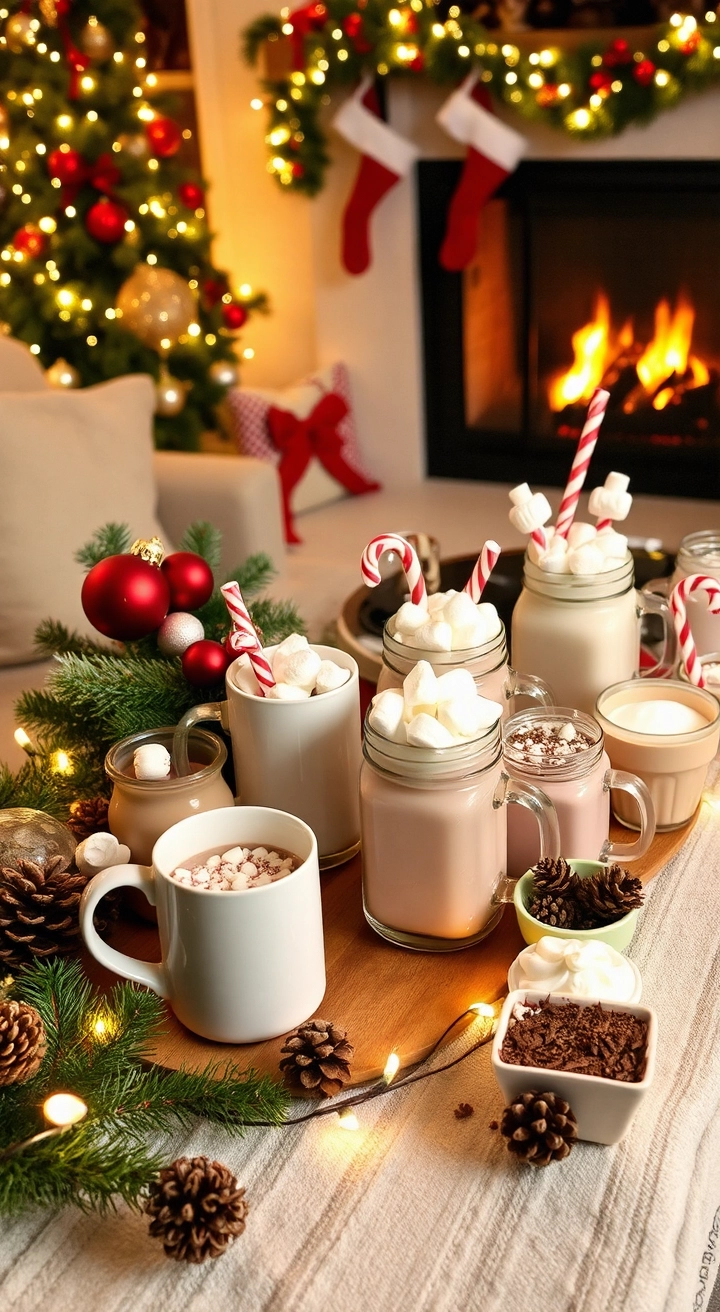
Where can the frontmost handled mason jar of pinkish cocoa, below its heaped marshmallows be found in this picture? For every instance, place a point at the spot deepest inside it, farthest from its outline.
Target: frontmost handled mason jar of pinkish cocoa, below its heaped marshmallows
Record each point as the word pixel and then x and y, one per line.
pixel 435 839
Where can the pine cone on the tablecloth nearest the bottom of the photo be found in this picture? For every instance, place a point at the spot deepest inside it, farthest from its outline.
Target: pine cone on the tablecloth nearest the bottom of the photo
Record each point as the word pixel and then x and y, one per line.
pixel 197 1209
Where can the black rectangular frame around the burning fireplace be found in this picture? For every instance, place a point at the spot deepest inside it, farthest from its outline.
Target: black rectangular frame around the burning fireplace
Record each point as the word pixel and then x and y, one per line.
pixel 456 451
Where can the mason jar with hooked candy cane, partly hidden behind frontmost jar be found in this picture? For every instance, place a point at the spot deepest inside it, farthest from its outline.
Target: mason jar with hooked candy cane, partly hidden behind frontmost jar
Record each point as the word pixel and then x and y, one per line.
pixel 489 666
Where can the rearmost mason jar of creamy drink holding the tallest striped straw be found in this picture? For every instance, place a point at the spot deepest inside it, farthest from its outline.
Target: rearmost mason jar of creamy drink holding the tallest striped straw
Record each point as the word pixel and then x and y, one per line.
pixel 582 633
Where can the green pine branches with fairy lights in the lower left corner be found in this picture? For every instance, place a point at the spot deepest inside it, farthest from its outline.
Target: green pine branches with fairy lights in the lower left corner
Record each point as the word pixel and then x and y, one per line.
pixel 96 1049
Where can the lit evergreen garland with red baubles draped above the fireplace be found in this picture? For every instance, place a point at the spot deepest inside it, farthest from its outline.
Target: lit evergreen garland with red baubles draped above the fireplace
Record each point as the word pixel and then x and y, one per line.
pixel 595 90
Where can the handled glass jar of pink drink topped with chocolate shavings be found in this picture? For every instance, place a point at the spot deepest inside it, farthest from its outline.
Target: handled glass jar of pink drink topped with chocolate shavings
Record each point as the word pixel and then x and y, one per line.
pixel 579 788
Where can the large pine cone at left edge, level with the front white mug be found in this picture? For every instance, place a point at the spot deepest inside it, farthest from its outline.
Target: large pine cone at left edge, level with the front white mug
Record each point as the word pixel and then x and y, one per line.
pixel 39 911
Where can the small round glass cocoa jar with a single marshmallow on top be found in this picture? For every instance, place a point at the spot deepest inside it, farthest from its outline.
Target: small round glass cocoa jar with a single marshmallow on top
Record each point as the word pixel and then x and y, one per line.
pixel 141 810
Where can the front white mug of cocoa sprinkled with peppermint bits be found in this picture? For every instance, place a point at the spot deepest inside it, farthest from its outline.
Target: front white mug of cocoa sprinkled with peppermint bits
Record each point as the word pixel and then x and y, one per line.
pixel 238 968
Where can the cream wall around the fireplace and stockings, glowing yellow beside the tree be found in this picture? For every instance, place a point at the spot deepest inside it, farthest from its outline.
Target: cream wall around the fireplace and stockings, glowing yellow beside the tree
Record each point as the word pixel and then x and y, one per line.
pixel 292 246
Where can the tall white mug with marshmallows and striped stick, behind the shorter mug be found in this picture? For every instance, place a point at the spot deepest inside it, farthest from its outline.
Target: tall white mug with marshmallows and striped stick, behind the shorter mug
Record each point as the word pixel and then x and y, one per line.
pixel 304 758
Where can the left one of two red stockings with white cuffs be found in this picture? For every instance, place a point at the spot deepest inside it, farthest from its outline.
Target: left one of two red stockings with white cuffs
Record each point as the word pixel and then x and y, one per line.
pixel 386 158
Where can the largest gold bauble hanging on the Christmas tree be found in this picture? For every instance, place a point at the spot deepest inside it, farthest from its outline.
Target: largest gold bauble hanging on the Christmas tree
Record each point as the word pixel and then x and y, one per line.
pixel 157 305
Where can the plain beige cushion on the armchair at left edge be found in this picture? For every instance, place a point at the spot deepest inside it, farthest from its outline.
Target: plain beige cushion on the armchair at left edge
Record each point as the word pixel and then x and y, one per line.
pixel 70 462
